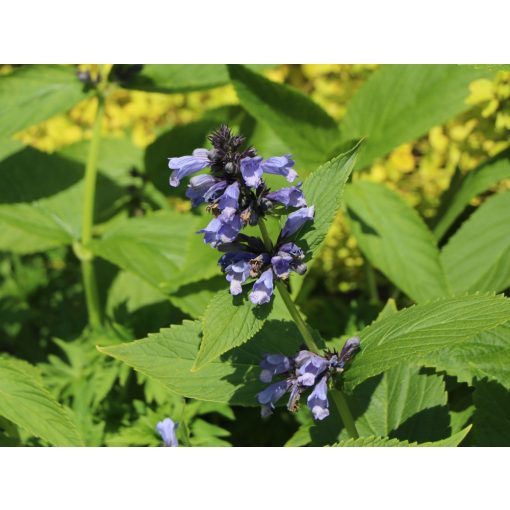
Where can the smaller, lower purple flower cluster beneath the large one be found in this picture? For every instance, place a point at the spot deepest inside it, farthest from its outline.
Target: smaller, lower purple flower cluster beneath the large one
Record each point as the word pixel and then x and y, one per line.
pixel 302 372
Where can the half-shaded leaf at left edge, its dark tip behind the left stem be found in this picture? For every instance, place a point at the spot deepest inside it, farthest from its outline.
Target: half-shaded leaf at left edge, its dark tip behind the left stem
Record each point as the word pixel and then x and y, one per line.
pixel 41 201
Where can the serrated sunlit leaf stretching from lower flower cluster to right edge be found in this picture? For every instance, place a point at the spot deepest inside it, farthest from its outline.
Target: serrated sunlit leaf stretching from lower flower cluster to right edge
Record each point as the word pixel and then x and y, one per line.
pixel 412 334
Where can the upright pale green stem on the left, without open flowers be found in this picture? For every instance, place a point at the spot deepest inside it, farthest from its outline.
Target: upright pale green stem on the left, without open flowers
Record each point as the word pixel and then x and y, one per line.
pixel 89 277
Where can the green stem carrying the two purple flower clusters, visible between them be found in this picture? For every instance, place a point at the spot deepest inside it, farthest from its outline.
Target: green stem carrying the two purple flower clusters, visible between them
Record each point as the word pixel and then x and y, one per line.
pixel 338 396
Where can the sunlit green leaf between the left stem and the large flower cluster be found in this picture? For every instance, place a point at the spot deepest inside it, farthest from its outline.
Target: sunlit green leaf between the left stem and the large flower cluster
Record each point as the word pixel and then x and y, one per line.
pixel 162 248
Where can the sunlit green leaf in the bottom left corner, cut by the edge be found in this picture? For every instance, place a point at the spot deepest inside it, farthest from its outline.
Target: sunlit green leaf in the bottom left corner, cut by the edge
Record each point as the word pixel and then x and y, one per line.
pixel 25 401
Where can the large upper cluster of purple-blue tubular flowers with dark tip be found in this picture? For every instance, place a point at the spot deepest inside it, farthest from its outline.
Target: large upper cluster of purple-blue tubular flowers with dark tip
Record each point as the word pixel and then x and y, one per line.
pixel 236 194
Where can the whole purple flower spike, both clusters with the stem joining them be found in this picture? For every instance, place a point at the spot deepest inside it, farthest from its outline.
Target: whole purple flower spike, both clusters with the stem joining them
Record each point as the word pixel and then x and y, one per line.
pixel 237 196
